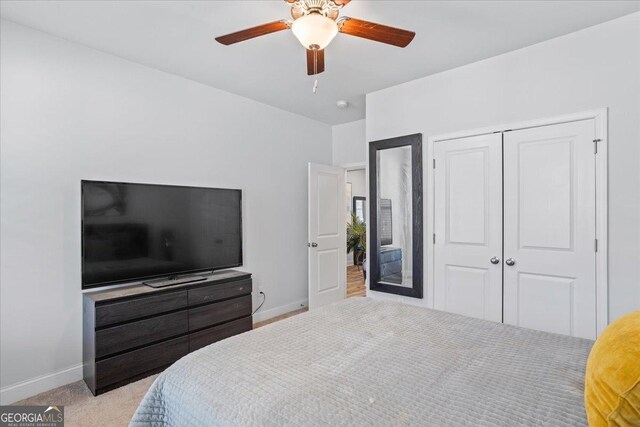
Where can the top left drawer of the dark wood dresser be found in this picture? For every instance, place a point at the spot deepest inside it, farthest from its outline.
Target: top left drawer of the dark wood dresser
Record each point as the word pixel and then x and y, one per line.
pixel 108 314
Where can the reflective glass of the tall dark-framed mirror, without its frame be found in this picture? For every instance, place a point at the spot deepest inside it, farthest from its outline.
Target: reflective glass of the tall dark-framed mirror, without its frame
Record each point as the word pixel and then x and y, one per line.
pixel 395 216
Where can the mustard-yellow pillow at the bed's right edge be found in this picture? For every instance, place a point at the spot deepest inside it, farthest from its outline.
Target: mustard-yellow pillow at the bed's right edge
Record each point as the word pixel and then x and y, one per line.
pixel 612 380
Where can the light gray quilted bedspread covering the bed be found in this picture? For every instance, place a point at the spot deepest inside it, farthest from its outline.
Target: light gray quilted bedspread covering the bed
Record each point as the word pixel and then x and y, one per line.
pixel 364 362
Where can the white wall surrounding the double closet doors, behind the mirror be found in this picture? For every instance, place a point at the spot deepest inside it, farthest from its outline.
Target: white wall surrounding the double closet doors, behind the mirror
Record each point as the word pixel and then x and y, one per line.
pixel 593 68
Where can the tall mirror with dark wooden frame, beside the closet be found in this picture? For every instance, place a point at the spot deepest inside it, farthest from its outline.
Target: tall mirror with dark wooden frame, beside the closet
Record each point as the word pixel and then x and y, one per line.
pixel 396 215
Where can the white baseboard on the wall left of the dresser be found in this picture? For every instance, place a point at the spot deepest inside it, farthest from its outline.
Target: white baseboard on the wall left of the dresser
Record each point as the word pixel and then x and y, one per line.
pixel 38 385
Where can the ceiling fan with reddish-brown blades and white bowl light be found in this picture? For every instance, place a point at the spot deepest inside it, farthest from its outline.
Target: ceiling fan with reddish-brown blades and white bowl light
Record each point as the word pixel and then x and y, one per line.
pixel 315 23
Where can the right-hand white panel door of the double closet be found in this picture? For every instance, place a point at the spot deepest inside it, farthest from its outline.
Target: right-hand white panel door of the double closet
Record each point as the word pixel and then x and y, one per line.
pixel 549 229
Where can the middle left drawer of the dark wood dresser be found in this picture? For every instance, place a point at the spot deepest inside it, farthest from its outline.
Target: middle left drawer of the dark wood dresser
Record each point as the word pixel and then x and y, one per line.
pixel 135 334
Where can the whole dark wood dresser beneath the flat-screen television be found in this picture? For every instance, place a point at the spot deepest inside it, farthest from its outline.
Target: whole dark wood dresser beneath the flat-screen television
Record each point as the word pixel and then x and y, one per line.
pixel 135 331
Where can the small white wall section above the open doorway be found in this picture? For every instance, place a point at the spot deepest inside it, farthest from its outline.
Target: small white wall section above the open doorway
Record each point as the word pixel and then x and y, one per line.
pixel 349 146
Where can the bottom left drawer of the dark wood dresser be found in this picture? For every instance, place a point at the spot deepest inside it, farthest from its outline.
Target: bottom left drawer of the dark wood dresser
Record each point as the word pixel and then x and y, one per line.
pixel 137 362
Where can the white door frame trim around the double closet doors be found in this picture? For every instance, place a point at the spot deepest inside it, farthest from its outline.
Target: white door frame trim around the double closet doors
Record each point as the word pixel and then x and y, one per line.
pixel 600 118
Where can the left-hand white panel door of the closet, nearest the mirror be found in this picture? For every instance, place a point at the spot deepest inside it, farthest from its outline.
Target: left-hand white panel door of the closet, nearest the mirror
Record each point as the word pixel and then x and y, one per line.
pixel 468 226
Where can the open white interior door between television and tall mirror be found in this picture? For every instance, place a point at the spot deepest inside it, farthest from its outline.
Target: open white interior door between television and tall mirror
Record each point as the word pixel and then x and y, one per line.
pixel 327 235
